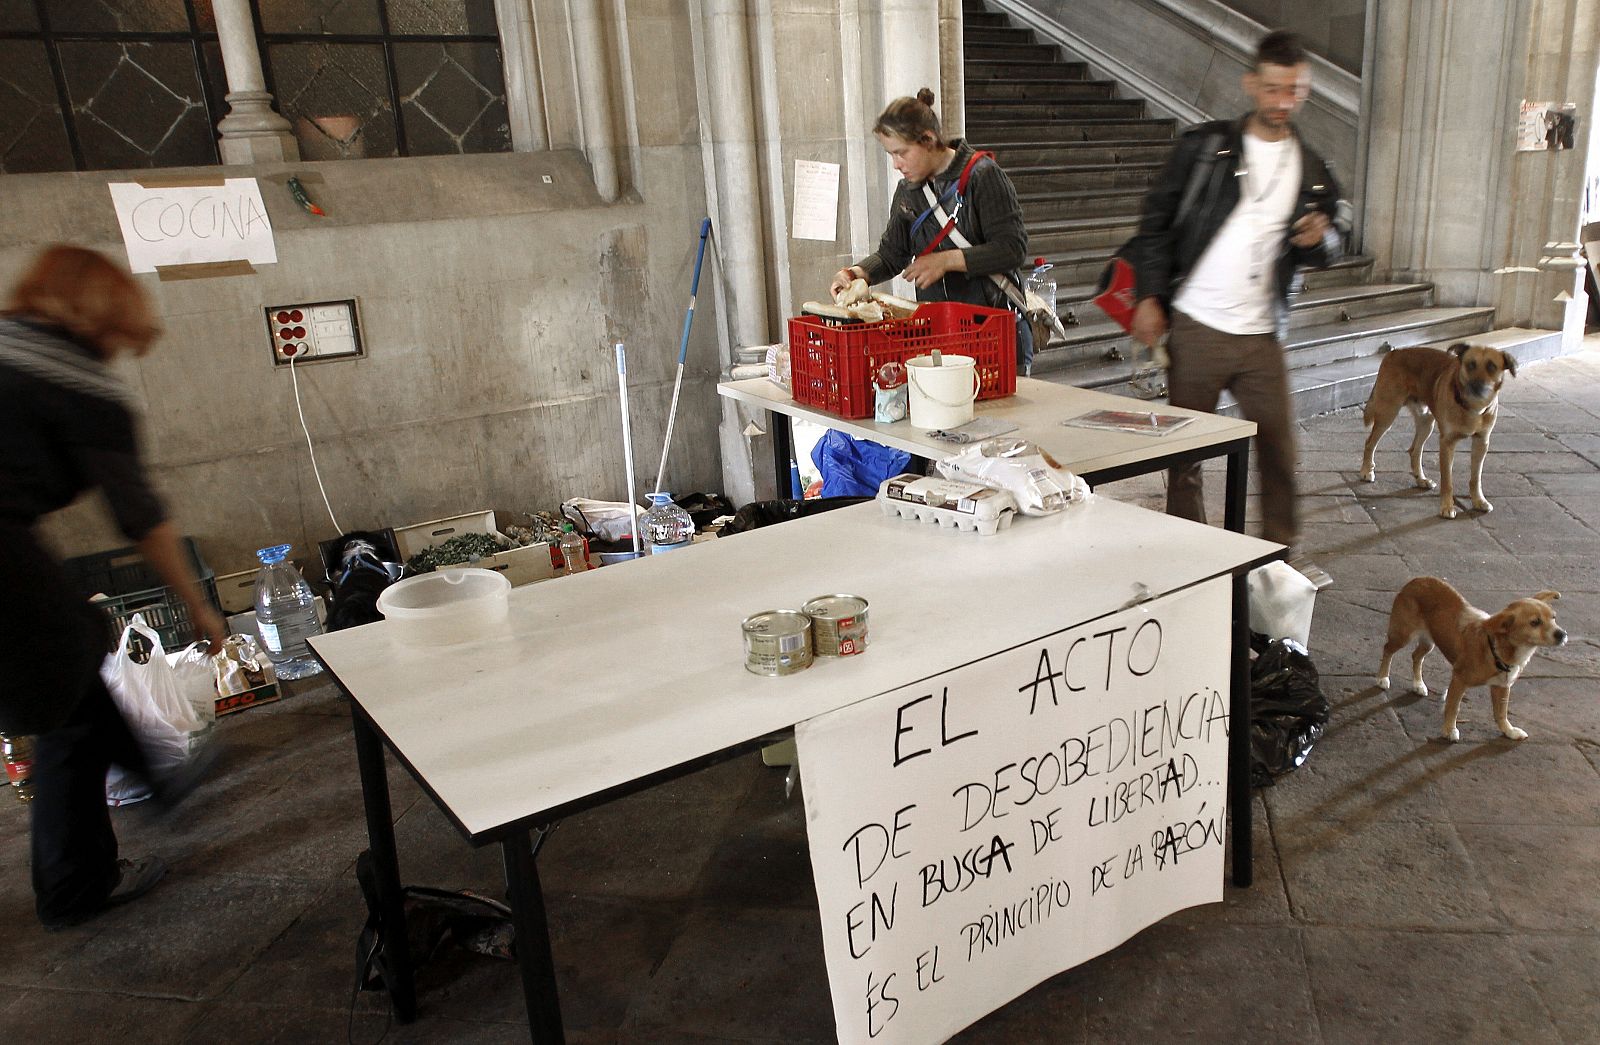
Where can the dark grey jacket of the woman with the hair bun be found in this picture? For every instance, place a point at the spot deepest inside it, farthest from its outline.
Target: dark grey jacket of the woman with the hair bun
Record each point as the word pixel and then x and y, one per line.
pixel 991 218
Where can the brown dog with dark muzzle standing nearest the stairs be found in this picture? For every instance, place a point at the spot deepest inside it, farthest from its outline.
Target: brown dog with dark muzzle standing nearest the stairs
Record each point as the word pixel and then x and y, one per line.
pixel 1460 390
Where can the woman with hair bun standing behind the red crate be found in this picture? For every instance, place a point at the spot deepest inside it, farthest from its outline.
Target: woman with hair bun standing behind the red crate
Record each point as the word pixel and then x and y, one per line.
pixel 988 215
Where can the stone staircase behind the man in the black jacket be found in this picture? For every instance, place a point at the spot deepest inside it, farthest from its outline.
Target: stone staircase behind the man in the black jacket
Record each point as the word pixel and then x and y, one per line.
pixel 1082 158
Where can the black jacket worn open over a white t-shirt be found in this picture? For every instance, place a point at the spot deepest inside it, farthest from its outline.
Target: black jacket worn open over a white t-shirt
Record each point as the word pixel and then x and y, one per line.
pixel 1201 182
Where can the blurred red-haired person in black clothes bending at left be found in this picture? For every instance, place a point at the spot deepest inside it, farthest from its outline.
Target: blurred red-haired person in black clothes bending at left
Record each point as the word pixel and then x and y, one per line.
pixel 70 431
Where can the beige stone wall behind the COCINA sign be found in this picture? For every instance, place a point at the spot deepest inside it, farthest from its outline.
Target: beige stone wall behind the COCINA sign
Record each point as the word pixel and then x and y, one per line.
pixel 489 303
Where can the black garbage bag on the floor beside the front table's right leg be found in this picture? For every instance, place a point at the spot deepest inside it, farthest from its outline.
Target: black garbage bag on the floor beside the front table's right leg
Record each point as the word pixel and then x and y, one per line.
pixel 1287 708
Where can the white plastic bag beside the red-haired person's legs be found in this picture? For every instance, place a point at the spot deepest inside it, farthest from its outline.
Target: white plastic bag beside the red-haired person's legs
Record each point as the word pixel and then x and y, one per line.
pixel 153 702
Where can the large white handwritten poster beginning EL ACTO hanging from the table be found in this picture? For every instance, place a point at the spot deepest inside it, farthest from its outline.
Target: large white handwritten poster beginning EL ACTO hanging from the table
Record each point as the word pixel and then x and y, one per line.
pixel 996 825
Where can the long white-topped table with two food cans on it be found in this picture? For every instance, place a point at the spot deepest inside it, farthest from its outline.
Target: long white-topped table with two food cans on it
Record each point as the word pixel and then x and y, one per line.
pixel 606 684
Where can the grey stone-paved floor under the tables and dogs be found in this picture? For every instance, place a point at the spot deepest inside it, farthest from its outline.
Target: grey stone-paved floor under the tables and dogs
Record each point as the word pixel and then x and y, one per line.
pixel 1407 891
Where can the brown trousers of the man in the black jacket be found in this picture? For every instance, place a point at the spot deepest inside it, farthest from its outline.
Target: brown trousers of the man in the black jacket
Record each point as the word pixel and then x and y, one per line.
pixel 1207 361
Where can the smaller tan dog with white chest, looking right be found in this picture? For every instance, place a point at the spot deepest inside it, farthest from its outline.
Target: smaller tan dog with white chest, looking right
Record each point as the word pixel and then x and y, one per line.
pixel 1479 647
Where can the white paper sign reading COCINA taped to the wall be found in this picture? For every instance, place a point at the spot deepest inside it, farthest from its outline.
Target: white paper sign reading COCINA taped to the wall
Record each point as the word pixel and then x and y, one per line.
pixel 194 225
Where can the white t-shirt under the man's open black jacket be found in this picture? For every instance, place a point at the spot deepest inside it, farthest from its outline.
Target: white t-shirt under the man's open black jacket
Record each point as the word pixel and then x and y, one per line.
pixel 1233 286
